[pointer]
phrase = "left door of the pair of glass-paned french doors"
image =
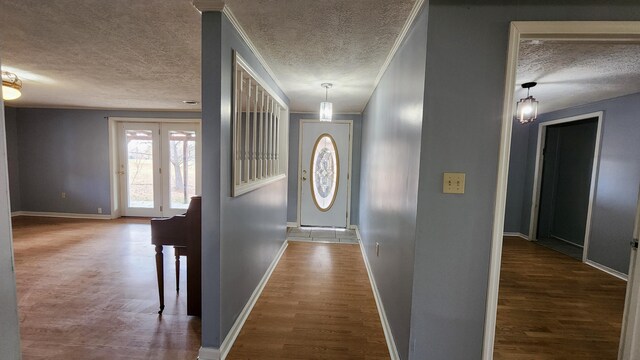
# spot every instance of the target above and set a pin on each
(139, 168)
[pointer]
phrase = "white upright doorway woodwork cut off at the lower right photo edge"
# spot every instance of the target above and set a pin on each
(630, 338)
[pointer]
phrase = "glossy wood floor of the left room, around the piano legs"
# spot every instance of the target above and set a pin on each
(87, 290)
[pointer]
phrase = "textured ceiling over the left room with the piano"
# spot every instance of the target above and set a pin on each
(102, 54)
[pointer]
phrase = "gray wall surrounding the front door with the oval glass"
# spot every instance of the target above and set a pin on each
(294, 150)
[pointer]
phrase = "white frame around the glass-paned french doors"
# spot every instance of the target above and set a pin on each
(114, 178)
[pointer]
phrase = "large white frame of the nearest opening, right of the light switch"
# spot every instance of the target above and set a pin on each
(574, 30)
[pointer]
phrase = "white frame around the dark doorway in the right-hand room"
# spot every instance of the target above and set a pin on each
(537, 177)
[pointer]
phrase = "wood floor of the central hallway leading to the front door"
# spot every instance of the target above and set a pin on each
(318, 304)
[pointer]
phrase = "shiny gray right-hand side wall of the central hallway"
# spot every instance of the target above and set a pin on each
(392, 122)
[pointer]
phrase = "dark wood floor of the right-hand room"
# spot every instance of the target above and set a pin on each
(551, 306)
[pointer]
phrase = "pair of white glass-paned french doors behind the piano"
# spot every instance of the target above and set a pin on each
(159, 167)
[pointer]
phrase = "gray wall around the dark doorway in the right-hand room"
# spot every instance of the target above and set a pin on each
(617, 178)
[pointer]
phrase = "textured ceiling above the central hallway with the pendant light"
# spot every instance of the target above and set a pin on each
(307, 43)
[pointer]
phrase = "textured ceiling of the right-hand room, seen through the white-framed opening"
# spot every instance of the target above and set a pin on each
(572, 73)
